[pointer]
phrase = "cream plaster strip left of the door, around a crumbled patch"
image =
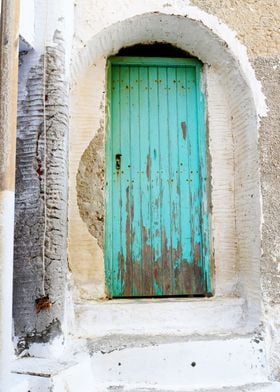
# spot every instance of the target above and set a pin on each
(87, 120)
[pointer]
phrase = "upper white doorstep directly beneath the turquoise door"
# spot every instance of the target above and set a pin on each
(154, 317)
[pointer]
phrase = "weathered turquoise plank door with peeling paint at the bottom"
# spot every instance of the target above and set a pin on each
(156, 224)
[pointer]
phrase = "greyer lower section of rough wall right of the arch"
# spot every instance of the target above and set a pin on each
(268, 71)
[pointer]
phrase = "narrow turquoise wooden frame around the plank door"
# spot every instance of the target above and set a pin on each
(206, 236)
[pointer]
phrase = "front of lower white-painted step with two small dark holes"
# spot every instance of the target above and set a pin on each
(178, 363)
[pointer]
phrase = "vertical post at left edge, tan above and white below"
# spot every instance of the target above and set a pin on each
(9, 36)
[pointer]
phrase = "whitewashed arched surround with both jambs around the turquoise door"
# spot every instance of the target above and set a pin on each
(232, 106)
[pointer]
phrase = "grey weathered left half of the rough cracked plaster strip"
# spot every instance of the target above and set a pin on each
(29, 215)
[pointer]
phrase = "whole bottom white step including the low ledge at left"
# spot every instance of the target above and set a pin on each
(117, 364)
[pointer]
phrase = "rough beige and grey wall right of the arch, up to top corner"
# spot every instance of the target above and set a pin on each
(257, 26)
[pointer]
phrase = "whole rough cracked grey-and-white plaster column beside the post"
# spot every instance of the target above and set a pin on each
(41, 197)
